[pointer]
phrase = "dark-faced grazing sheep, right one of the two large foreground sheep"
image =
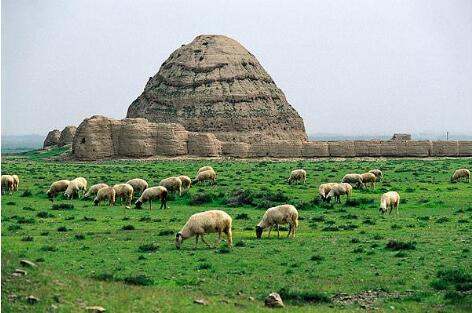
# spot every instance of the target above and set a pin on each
(282, 214)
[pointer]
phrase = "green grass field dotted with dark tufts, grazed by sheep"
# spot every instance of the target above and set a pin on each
(126, 260)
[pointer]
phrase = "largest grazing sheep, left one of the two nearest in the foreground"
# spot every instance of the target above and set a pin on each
(200, 224)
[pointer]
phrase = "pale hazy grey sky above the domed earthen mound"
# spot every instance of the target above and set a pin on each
(348, 67)
